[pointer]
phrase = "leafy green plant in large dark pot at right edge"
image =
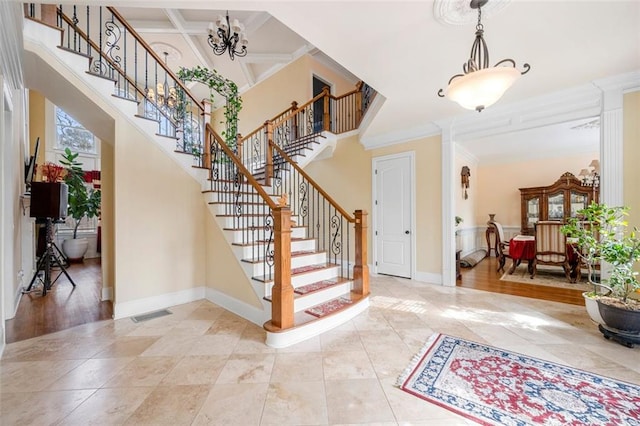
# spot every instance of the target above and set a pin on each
(600, 237)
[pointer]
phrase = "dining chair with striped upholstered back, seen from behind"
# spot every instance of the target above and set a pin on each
(551, 247)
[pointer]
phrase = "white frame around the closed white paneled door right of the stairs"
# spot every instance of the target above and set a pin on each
(412, 210)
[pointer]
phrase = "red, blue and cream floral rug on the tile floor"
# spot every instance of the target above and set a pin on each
(496, 387)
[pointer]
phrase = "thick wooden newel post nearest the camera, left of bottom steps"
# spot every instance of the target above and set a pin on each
(282, 291)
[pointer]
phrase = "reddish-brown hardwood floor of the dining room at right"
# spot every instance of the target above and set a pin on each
(484, 277)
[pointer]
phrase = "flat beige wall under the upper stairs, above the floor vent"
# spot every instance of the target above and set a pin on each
(159, 220)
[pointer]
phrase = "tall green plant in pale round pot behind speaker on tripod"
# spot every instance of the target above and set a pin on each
(82, 202)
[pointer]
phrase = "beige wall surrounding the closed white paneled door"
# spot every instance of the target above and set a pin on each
(347, 177)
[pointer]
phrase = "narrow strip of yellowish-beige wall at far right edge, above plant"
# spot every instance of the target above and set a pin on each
(631, 156)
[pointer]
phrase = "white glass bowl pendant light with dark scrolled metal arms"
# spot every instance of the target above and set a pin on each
(481, 86)
